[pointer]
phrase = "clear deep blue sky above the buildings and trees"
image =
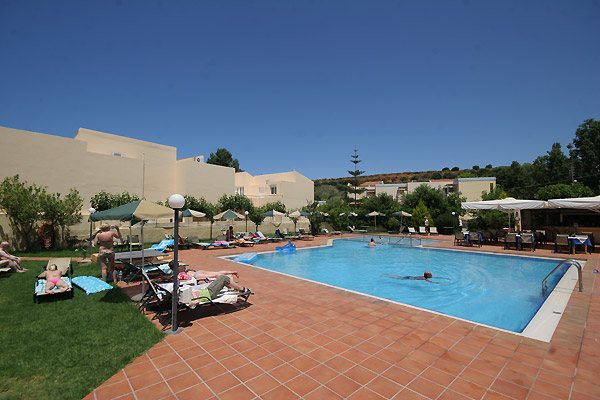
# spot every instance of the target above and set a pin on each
(297, 85)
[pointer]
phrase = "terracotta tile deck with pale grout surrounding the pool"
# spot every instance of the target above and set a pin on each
(304, 340)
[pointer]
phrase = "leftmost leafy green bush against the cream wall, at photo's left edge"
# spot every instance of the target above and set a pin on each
(20, 201)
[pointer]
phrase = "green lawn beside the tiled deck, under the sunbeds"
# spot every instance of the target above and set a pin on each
(64, 348)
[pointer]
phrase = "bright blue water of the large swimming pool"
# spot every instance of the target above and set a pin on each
(500, 291)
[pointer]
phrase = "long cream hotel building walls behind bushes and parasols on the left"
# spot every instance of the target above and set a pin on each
(93, 161)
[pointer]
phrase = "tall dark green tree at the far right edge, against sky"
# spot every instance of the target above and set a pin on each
(585, 152)
